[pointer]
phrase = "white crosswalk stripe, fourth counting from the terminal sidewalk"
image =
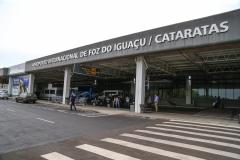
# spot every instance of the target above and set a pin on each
(196, 133)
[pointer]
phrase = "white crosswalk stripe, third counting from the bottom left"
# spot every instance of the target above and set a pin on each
(151, 149)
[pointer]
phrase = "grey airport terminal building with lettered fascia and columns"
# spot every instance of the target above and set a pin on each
(188, 63)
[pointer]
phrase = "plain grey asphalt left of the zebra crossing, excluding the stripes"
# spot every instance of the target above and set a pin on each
(26, 125)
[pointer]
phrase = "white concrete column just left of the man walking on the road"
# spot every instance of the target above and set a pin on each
(66, 85)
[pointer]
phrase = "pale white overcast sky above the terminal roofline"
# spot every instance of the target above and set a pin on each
(31, 29)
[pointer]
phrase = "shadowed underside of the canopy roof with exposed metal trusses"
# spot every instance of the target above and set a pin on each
(211, 62)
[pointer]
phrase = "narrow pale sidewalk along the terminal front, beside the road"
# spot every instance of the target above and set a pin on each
(199, 117)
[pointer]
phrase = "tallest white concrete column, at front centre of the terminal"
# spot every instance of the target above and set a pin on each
(140, 83)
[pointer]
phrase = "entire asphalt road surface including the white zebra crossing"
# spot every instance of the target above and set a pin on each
(40, 132)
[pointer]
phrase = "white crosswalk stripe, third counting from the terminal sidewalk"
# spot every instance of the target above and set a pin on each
(198, 129)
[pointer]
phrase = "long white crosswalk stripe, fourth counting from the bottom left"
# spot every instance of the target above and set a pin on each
(184, 145)
